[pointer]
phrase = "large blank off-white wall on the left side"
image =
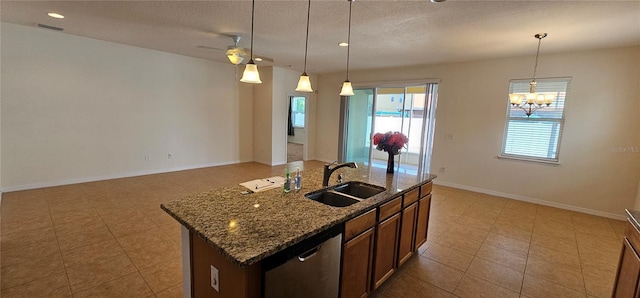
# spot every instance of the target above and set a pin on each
(79, 109)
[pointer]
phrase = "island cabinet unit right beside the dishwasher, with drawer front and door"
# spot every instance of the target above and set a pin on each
(357, 256)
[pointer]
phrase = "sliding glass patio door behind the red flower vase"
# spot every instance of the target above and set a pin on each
(409, 109)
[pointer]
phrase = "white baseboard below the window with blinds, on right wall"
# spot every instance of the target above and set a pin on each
(532, 200)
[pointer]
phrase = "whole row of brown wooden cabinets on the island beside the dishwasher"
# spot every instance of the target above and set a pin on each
(375, 246)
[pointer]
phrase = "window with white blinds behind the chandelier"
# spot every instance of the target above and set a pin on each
(537, 137)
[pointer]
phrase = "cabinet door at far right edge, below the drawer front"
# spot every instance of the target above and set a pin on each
(626, 284)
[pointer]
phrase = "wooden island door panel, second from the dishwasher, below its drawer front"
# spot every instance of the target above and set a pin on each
(386, 249)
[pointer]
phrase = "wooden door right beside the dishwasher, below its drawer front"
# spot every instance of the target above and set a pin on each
(357, 258)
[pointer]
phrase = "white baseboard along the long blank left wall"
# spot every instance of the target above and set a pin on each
(115, 176)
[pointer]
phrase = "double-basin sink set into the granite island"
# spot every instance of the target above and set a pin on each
(346, 194)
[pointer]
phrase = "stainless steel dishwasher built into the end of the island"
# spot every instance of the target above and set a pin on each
(309, 269)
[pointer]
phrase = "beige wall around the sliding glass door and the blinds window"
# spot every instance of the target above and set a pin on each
(601, 113)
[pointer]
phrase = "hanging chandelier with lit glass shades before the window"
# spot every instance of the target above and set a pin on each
(532, 101)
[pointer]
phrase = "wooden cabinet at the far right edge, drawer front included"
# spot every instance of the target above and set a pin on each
(628, 276)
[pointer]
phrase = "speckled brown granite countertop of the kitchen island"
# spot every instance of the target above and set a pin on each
(249, 228)
